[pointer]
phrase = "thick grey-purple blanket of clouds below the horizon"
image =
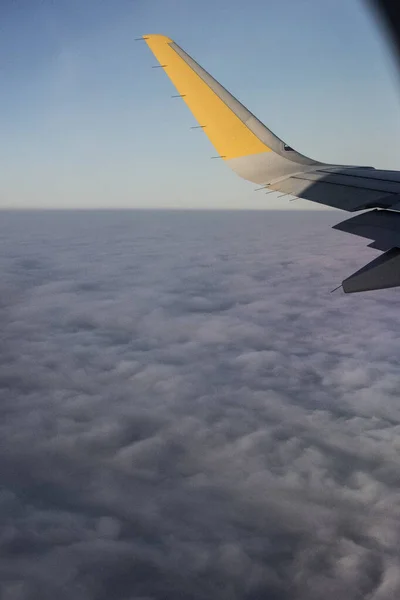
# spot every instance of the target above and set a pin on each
(186, 411)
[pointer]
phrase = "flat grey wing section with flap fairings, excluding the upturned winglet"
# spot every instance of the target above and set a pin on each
(358, 189)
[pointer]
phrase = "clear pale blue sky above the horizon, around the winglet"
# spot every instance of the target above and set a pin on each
(85, 121)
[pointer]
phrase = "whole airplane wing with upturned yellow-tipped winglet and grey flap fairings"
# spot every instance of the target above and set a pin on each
(255, 153)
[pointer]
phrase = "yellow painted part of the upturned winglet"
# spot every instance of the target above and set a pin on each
(226, 130)
